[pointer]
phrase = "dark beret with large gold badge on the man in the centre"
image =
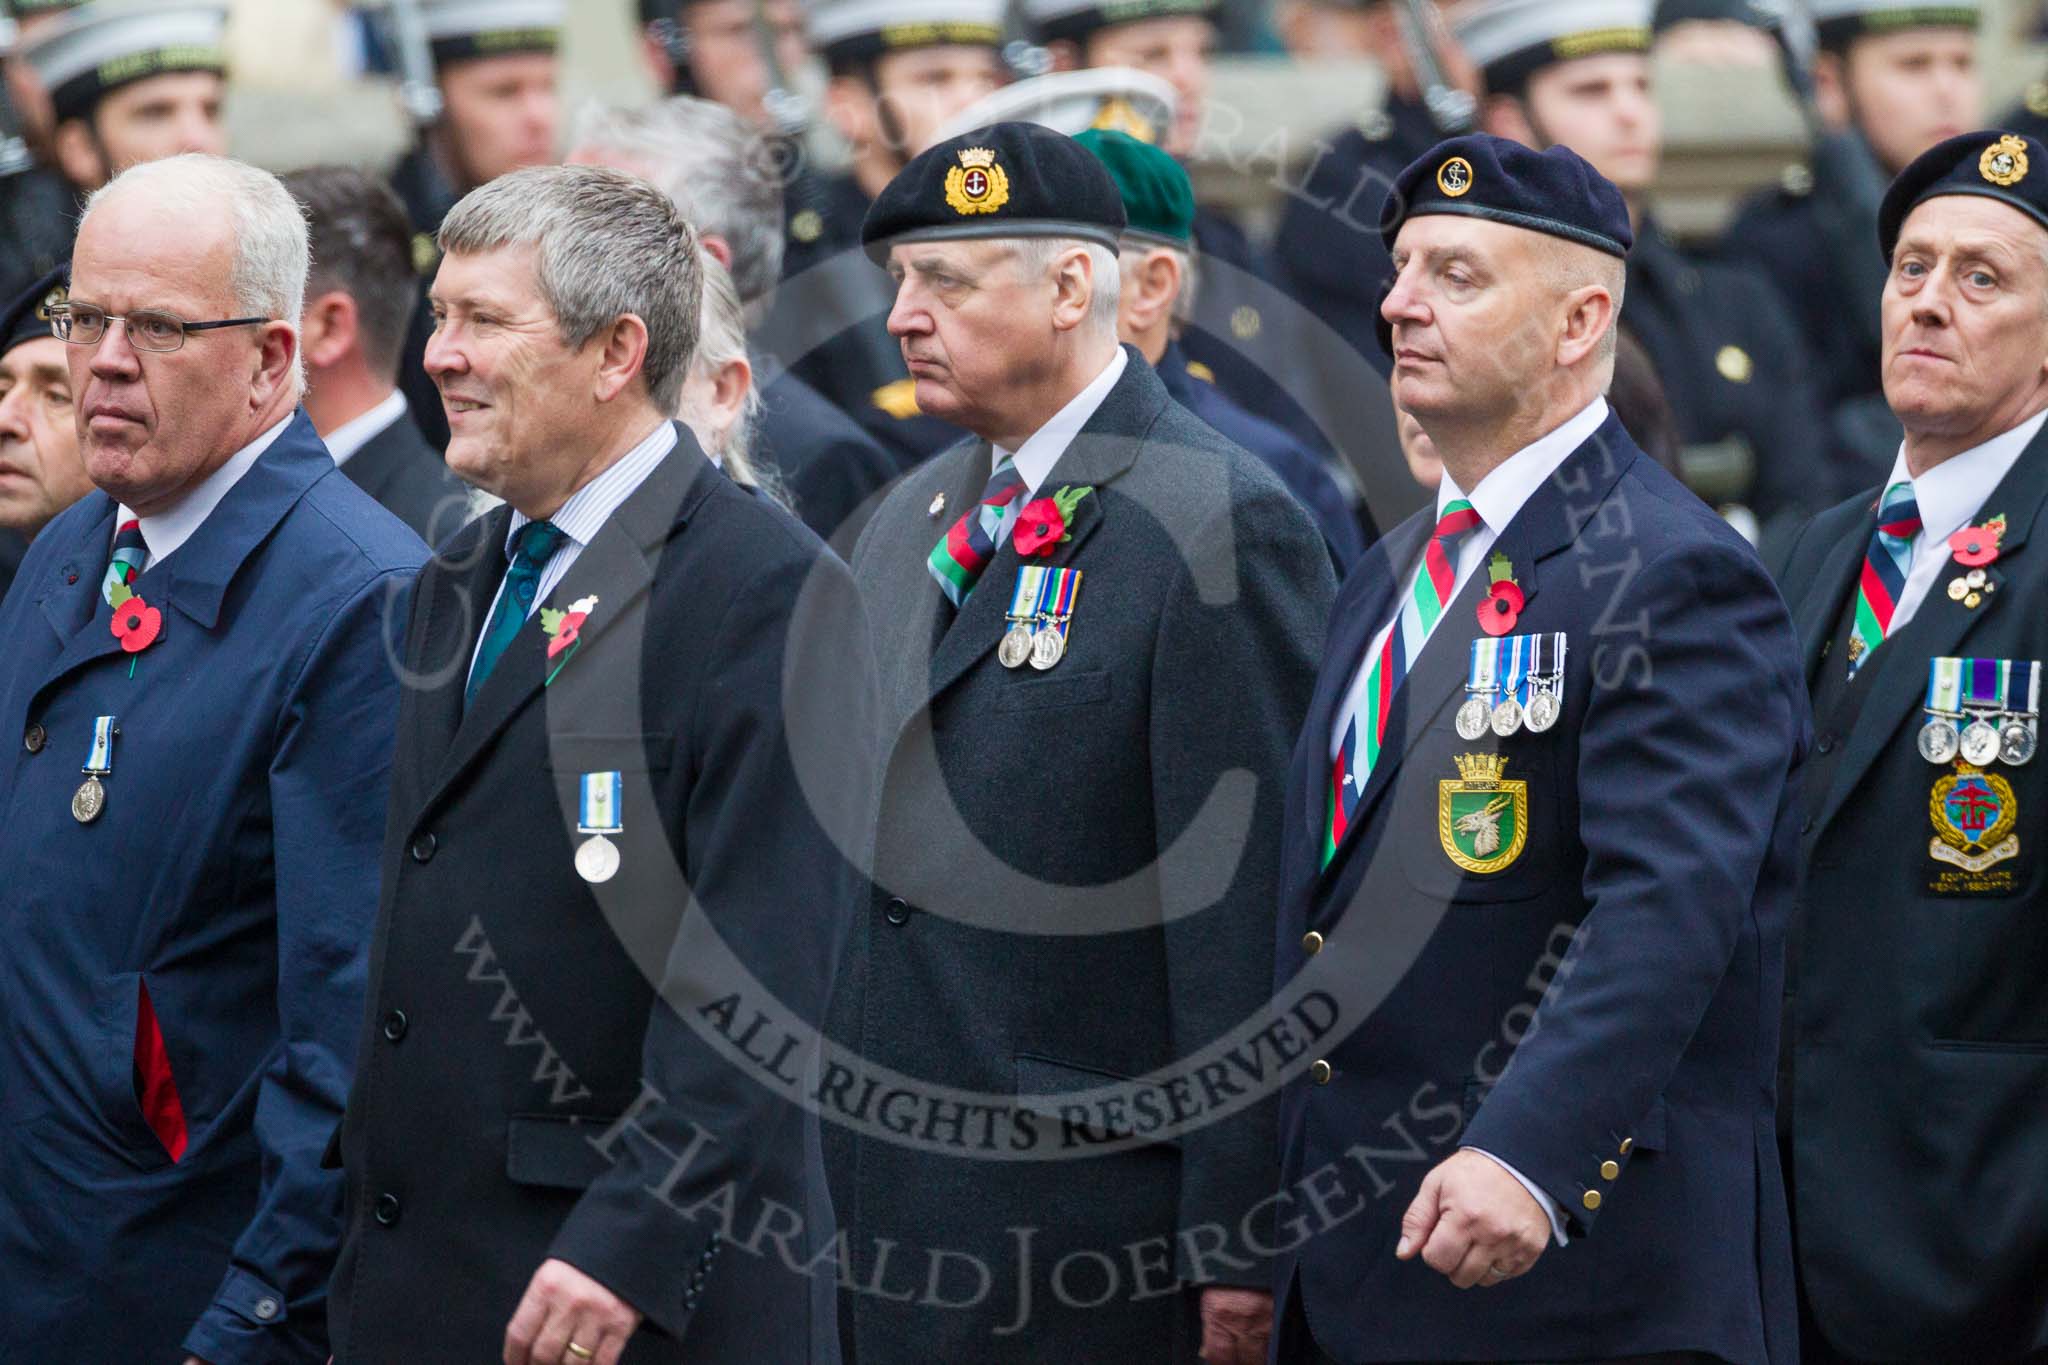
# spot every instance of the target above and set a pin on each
(1002, 181)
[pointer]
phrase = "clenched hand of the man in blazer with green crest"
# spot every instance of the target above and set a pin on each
(1474, 1223)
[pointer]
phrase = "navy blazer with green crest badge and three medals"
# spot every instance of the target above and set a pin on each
(1603, 1010)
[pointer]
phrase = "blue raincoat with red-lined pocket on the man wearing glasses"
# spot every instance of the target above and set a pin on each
(222, 904)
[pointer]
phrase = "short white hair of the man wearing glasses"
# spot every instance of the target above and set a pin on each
(269, 230)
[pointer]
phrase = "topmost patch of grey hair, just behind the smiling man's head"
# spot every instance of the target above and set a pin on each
(718, 169)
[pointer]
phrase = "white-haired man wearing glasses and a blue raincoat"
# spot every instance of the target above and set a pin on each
(191, 820)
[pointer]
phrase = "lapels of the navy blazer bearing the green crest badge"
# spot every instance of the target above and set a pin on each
(1545, 525)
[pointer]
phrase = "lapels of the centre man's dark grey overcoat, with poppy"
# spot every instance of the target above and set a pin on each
(1101, 451)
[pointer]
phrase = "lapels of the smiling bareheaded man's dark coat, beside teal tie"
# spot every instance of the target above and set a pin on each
(617, 568)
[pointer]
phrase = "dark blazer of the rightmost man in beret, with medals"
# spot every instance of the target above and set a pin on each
(1918, 1024)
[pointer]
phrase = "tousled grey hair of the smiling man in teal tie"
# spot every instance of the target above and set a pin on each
(605, 245)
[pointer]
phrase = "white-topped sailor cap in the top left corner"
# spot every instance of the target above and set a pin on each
(101, 48)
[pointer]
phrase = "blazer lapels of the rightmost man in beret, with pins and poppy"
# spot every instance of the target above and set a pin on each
(1938, 629)
